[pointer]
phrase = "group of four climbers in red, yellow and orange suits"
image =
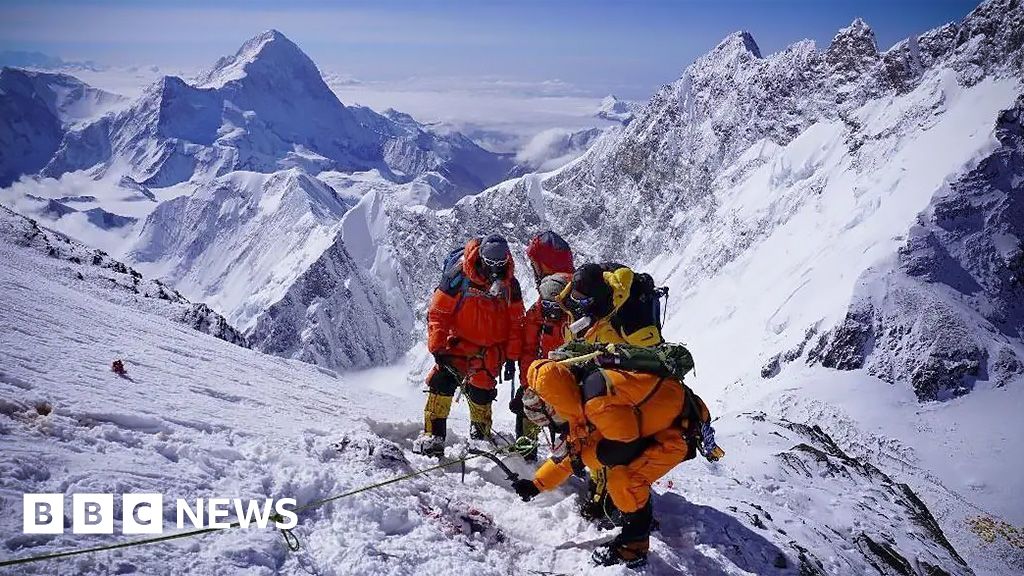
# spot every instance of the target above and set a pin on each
(594, 372)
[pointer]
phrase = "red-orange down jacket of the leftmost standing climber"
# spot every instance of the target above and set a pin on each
(476, 331)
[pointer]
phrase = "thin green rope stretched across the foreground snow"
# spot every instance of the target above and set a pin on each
(291, 541)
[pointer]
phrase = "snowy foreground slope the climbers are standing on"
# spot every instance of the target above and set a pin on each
(192, 421)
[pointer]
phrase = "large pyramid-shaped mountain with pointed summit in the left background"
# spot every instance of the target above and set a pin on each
(264, 110)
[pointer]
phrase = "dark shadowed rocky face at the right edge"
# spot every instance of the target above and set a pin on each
(950, 310)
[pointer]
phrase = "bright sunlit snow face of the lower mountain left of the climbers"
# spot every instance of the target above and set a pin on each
(240, 241)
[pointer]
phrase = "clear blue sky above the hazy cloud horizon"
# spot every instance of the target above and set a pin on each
(598, 47)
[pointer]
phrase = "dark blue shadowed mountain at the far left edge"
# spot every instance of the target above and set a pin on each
(36, 110)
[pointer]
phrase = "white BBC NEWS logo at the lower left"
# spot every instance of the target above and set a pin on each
(144, 514)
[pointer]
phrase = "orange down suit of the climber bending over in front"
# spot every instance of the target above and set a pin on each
(633, 424)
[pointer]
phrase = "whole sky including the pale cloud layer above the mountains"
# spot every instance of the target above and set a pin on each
(511, 75)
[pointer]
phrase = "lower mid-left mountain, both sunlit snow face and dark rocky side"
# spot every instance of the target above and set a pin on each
(265, 250)
